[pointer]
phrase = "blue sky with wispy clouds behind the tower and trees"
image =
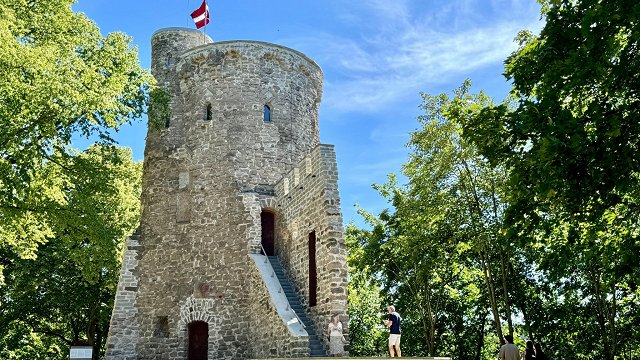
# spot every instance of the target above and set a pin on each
(377, 56)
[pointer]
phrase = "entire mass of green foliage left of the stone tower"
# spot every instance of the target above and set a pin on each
(63, 214)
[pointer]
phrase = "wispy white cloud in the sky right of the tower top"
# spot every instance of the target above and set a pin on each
(404, 50)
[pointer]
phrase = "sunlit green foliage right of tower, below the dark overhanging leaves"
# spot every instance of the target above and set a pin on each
(455, 251)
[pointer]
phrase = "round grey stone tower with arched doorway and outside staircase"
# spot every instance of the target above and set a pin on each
(236, 173)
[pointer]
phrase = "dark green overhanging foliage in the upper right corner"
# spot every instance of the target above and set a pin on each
(572, 140)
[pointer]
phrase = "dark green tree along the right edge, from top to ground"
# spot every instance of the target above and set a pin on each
(571, 148)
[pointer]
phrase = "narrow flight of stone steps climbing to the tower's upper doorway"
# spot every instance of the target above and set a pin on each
(316, 347)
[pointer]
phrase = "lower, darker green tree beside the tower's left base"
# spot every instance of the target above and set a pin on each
(64, 296)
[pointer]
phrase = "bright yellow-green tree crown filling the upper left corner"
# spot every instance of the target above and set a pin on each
(58, 77)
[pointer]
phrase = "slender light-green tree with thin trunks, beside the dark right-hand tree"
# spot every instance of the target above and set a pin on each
(451, 180)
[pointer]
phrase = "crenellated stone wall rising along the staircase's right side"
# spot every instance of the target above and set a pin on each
(308, 201)
